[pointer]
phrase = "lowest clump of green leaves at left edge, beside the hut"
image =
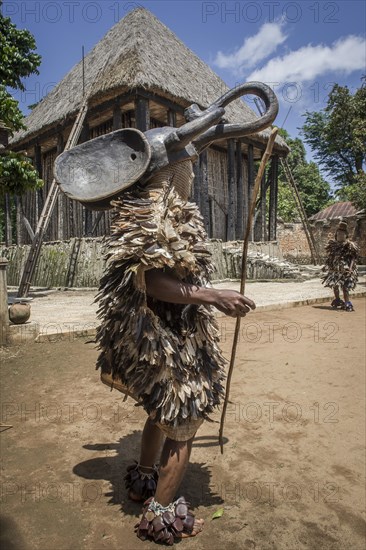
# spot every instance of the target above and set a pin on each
(17, 174)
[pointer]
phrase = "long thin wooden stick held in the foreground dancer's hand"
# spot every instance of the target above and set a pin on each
(257, 182)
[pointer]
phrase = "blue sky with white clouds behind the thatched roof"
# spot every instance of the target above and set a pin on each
(300, 48)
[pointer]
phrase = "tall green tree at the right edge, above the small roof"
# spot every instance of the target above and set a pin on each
(337, 136)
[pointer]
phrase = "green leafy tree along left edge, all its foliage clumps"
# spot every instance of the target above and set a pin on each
(17, 61)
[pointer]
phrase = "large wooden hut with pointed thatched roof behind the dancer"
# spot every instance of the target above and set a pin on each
(141, 75)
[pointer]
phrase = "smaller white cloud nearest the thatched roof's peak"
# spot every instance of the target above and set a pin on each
(255, 48)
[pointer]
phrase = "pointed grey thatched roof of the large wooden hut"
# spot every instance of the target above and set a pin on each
(138, 52)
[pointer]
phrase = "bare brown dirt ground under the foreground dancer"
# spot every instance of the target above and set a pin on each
(292, 472)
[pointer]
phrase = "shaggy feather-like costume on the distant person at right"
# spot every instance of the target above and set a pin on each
(338, 261)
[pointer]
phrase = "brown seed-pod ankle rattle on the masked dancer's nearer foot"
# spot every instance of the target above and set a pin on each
(166, 523)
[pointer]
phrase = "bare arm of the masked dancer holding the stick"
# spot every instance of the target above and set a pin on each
(165, 287)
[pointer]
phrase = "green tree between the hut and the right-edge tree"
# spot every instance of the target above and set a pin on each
(314, 190)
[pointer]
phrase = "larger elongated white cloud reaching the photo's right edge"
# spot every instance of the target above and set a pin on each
(346, 55)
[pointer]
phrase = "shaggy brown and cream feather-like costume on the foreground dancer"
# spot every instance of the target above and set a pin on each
(166, 354)
